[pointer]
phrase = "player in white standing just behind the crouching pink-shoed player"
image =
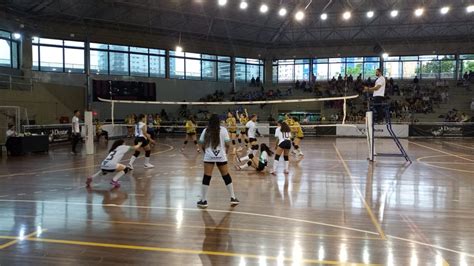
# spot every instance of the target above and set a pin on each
(141, 136)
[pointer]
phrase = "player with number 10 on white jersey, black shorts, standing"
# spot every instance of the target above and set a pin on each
(283, 133)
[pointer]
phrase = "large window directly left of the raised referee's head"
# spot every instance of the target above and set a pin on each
(327, 68)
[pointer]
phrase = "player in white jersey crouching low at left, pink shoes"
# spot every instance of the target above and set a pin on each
(111, 164)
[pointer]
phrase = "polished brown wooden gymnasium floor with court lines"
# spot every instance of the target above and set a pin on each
(333, 208)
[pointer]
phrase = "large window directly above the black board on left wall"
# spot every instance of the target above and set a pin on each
(110, 59)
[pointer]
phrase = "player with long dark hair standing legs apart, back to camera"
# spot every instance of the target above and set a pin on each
(215, 142)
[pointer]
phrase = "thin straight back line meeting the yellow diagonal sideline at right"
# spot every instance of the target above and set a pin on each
(271, 232)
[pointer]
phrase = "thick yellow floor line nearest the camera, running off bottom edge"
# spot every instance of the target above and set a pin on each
(189, 251)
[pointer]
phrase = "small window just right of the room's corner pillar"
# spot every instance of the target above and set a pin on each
(291, 70)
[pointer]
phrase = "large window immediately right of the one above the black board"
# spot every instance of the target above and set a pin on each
(194, 66)
